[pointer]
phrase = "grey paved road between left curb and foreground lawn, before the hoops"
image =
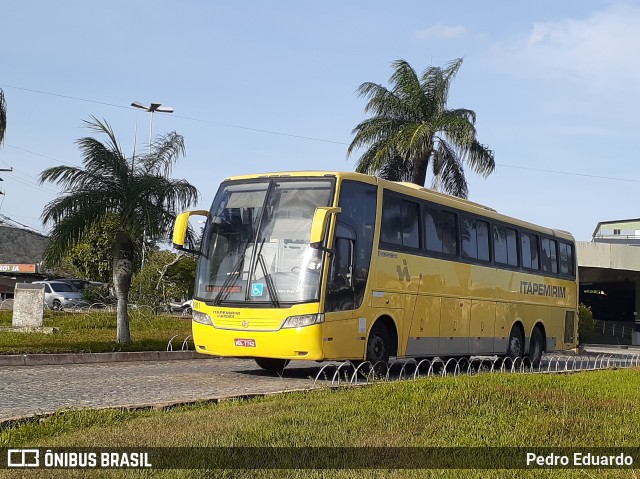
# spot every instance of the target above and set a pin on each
(28, 390)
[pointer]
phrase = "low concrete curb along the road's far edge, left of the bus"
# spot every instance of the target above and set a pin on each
(89, 358)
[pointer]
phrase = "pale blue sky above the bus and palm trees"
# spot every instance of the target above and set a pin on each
(260, 86)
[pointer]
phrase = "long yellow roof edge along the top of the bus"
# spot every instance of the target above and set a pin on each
(415, 191)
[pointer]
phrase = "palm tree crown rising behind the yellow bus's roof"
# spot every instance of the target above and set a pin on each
(411, 128)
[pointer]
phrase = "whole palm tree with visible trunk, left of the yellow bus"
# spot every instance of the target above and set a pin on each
(136, 191)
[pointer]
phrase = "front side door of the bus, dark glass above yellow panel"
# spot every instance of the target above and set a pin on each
(340, 338)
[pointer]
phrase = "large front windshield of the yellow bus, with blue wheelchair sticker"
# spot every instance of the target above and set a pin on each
(255, 247)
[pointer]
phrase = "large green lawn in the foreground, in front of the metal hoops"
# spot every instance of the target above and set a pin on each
(587, 409)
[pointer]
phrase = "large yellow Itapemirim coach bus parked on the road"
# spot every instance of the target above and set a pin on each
(345, 266)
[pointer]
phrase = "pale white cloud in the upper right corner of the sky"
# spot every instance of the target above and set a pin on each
(600, 51)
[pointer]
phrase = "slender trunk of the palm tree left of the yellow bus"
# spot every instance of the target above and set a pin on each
(122, 273)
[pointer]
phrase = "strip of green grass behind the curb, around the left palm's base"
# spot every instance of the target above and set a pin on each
(83, 332)
